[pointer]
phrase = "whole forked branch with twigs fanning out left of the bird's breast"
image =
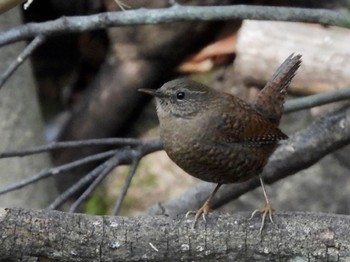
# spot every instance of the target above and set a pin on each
(133, 150)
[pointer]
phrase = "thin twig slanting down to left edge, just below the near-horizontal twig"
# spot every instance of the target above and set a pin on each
(55, 171)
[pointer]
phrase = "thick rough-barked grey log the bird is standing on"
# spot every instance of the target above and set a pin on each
(225, 237)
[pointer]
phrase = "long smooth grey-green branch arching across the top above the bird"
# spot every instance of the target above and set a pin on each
(176, 13)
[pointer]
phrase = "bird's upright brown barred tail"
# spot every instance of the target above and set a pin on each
(270, 99)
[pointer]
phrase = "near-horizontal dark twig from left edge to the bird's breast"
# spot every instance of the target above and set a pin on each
(83, 143)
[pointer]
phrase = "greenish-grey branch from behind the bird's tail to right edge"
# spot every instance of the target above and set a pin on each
(317, 100)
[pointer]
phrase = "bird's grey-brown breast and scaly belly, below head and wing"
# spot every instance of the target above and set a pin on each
(202, 156)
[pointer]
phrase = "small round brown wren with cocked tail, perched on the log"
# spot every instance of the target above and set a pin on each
(218, 137)
